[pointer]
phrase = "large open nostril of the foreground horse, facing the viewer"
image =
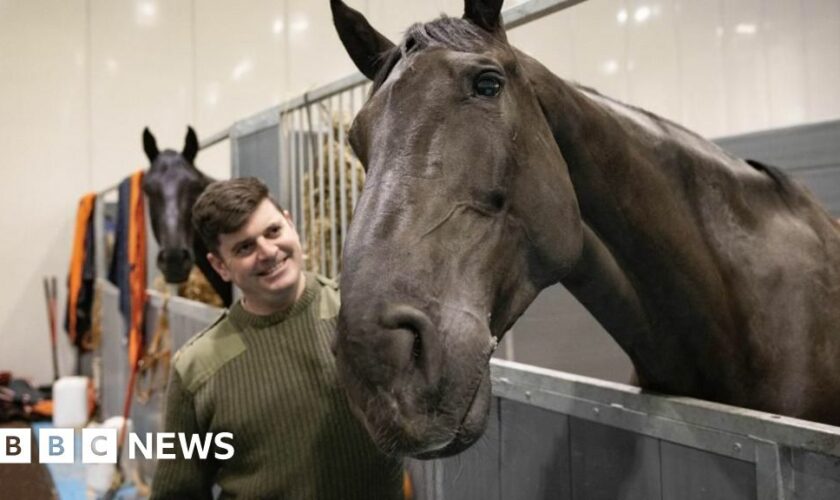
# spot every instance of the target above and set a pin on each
(425, 352)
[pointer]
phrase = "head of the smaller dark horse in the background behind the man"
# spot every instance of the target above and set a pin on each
(172, 186)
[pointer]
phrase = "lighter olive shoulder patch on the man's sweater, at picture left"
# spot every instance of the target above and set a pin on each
(207, 352)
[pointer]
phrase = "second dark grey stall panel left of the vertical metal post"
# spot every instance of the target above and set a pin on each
(613, 464)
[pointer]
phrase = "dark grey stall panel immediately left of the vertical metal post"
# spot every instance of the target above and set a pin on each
(692, 474)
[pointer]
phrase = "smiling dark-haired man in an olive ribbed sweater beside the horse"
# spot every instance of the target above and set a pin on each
(264, 371)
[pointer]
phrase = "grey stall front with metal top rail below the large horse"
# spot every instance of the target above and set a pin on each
(562, 436)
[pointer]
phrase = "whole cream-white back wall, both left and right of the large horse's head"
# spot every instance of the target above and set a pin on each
(79, 79)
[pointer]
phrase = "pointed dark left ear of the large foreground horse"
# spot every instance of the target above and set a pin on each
(363, 43)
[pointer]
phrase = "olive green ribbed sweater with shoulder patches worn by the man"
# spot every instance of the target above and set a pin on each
(271, 382)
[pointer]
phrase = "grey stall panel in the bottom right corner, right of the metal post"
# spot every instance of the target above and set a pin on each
(815, 476)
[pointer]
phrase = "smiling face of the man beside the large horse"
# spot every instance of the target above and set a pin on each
(264, 258)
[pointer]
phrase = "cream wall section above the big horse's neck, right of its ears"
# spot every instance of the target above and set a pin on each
(719, 67)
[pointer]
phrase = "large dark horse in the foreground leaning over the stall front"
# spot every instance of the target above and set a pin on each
(489, 179)
